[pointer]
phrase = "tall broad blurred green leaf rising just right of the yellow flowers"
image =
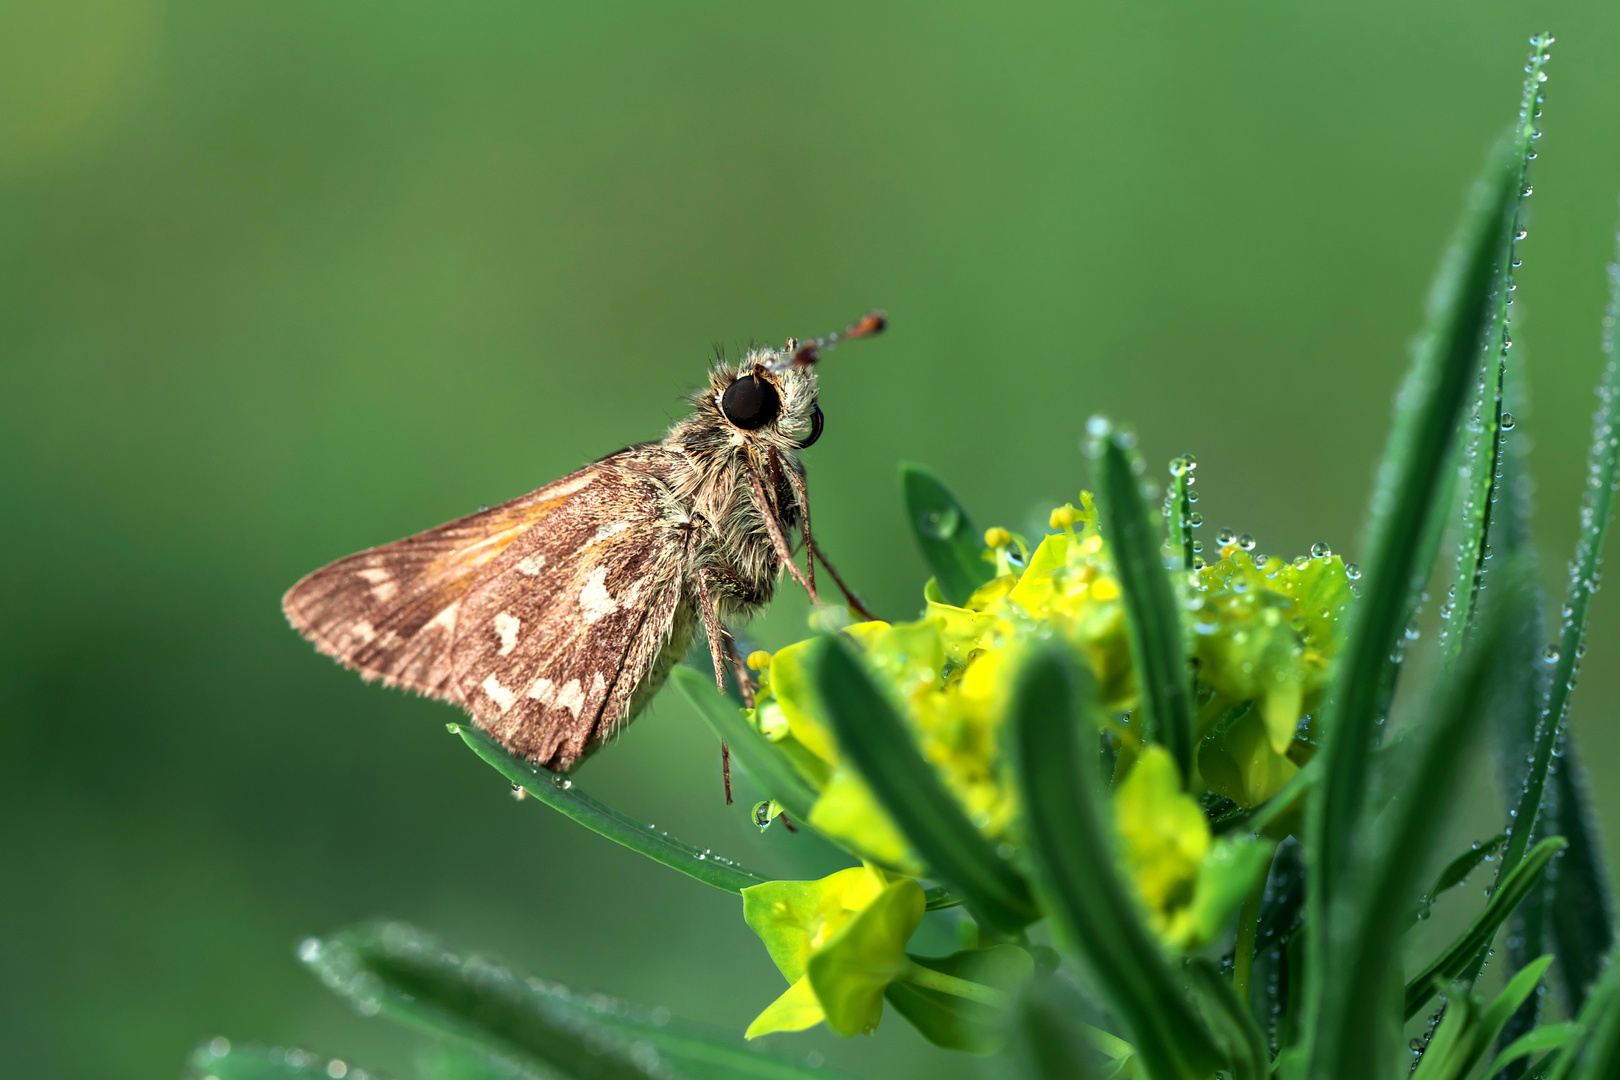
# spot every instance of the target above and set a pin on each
(1426, 420)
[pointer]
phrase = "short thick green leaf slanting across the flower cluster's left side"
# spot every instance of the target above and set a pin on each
(874, 739)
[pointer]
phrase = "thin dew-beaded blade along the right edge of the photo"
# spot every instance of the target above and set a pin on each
(1603, 470)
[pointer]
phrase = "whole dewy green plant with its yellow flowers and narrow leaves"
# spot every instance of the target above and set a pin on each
(1148, 752)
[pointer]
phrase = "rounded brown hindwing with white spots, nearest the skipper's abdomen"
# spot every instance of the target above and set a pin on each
(568, 623)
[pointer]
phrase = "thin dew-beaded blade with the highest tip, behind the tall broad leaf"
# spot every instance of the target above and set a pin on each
(1481, 451)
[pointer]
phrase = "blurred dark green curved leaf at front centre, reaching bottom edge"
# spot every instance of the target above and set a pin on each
(1089, 906)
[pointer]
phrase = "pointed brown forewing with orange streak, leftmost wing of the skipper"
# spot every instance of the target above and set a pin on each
(391, 613)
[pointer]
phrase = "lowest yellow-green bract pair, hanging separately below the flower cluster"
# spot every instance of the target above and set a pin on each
(838, 942)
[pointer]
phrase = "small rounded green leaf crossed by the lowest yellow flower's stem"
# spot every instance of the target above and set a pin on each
(957, 1023)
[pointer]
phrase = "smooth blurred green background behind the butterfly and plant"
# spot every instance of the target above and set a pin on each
(279, 283)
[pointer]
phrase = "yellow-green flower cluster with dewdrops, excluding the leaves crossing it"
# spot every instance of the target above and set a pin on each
(1263, 636)
